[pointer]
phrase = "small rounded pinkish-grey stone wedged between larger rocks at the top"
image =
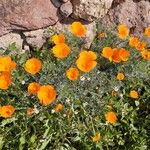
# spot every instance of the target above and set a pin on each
(66, 9)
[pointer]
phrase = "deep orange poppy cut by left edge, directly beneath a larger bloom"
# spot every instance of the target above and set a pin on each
(5, 80)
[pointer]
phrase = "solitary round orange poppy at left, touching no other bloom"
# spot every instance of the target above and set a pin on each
(33, 66)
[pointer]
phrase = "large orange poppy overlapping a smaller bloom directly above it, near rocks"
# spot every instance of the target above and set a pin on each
(61, 50)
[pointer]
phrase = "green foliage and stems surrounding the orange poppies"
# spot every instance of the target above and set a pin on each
(85, 102)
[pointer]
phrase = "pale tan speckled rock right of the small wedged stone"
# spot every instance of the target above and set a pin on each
(90, 9)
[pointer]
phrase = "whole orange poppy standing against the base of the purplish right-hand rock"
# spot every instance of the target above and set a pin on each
(123, 31)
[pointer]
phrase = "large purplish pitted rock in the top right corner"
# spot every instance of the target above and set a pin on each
(135, 15)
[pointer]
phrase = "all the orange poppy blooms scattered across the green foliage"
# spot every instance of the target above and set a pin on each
(85, 63)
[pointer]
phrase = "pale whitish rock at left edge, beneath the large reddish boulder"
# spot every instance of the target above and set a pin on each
(10, 38)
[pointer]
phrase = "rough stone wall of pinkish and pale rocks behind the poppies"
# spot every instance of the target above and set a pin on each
(26, 22)
